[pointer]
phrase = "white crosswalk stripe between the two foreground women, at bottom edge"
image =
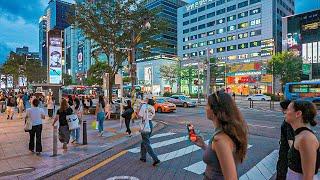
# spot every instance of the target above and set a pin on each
(264, 170)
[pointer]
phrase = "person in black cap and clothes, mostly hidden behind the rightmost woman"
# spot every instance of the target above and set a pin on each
(286, 140)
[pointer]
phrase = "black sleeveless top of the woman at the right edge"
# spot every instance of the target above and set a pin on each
(294, 158)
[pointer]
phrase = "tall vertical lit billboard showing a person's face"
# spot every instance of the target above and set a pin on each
(55, 62)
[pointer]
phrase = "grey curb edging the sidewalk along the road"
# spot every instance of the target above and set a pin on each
(116, 149)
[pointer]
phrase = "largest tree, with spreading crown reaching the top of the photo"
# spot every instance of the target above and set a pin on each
(115, 27)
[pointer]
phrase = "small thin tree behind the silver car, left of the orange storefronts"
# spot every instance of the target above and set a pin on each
(170, 73)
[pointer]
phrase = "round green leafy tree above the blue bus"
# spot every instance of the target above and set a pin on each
(286, 66)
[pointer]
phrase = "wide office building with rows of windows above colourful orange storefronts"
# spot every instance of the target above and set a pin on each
(241, 35)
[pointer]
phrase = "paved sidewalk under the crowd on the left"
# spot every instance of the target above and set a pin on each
(16, 162)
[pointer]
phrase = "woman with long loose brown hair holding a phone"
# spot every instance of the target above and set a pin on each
(228, 145)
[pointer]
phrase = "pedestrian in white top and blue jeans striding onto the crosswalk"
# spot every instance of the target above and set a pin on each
(147, 112)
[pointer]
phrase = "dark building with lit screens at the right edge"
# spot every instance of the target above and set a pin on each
(301, 35)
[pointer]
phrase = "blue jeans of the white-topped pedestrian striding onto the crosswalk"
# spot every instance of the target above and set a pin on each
(145, 145)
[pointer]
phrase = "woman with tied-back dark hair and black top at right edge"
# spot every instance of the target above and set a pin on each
(304, 154)
